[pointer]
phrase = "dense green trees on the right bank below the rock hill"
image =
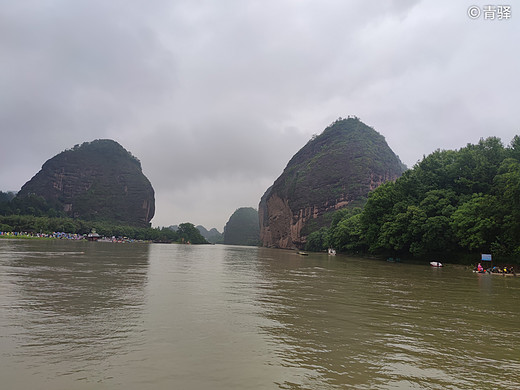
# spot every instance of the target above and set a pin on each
(460, 202)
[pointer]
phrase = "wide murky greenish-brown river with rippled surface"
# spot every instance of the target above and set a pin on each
(81, 315)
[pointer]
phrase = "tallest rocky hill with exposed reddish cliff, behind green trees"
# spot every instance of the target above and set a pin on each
(333, 170)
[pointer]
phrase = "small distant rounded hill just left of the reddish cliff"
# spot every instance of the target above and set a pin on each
(242, 227)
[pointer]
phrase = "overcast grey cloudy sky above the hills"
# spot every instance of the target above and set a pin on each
(215, 96)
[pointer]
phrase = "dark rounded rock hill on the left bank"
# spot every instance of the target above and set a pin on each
(98, 180)
